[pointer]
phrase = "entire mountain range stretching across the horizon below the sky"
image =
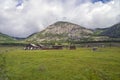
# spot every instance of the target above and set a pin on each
(67, 32)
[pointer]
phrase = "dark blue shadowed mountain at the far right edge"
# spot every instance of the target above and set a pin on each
(112, 32)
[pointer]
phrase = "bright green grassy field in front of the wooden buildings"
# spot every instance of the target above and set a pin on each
(80, 64)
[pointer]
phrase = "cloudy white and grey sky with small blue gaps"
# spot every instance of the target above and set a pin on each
(20, 18)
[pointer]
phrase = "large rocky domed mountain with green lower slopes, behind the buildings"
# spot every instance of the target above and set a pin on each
(61, 31)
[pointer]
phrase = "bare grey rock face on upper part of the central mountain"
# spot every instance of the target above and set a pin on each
(67, 28)
